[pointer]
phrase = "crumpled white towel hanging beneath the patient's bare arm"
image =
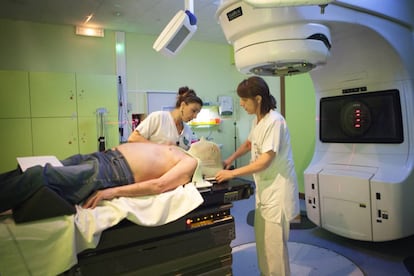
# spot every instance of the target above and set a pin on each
(145, 210)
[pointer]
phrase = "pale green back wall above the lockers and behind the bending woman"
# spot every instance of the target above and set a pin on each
(206, 67)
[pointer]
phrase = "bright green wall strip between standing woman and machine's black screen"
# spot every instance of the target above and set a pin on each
(300, 116)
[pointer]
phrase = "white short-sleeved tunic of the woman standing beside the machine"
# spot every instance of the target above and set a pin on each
(276, 190)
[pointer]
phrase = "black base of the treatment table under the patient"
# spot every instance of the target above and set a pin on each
(196, 244)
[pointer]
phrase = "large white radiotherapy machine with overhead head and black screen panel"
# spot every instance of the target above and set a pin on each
(360, 181)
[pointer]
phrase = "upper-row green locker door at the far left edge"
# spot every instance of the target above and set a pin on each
(14, 94)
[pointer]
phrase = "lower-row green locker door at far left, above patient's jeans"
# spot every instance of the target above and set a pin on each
(16, 141)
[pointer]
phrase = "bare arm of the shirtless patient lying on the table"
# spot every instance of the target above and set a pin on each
(179, 174)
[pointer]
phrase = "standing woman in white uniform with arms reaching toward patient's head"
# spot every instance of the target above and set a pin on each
(277, 196)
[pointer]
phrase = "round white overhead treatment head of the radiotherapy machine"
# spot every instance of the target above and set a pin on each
(264, 48)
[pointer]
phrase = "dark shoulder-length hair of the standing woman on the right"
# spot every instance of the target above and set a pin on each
(256, 86)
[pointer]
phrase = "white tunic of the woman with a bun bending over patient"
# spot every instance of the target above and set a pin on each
(159, 127)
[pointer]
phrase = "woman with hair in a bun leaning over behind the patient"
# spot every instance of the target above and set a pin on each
(169, 127)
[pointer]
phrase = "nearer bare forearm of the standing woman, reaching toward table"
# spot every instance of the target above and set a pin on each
(261, 163)
